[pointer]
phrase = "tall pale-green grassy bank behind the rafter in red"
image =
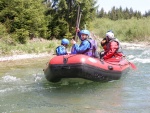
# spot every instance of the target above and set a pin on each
(125, 30)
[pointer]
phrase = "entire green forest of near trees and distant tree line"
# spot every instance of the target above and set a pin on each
(21, 20)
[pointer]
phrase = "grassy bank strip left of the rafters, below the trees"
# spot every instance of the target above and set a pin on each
(32, 46)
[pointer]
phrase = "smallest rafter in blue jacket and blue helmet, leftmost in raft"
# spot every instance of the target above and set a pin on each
(62, 49)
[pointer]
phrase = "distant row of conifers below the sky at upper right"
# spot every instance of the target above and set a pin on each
(120, 13)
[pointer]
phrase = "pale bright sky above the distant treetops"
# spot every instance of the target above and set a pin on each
(136, 5)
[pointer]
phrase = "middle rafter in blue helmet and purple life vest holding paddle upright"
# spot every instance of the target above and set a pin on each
(88, 46)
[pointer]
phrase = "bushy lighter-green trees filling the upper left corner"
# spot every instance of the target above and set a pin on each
(23, 18)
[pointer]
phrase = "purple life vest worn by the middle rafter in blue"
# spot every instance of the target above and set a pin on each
(92, 50)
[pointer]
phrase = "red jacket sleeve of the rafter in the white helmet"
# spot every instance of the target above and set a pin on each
(112, 50)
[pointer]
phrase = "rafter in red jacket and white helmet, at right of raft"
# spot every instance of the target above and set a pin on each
(112, 49)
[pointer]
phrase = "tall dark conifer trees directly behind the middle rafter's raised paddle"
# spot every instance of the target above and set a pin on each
(66, 14)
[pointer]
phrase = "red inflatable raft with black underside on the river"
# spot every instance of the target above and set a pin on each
(82, 66)
